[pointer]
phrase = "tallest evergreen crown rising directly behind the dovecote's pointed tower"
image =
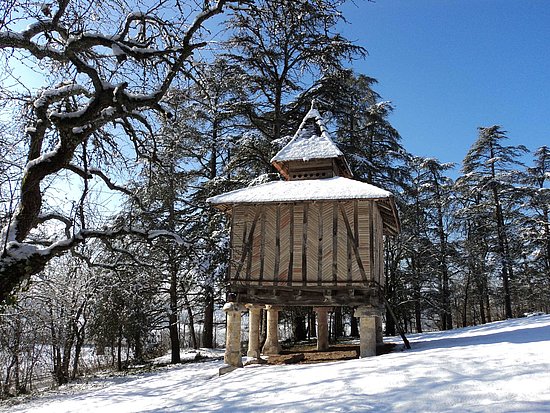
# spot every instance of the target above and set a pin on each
(283, 46)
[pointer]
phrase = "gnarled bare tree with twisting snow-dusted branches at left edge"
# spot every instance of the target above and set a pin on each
(106, 67)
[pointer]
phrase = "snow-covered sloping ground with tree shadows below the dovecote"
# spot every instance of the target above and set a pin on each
(498, 367)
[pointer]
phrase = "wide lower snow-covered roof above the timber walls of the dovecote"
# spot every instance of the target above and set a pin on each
(337, 188)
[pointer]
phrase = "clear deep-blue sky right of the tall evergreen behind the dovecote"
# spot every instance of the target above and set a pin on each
(450, 66)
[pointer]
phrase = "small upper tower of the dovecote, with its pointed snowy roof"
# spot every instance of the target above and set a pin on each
(311, 153)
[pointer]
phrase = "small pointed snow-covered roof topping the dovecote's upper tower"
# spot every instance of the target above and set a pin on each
(311, 141)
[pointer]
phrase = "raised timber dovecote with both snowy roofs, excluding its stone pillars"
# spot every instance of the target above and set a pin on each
(315, 238)
